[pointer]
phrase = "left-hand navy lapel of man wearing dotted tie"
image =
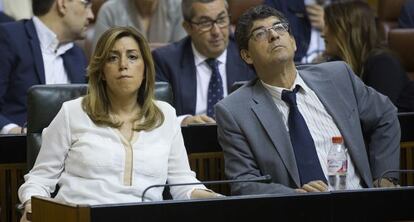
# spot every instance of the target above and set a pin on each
(188, 80)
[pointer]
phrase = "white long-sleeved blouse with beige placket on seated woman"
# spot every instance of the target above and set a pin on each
(96, 165)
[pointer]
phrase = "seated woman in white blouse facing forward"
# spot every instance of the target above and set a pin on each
(113, 143)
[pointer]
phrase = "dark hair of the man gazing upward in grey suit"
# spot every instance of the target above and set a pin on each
(245, 22)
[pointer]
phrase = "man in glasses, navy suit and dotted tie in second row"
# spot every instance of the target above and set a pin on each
(202, 67)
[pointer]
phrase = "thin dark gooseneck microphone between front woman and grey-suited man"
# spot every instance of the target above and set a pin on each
(263, 179)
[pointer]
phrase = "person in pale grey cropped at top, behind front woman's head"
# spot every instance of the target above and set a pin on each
(158, 20)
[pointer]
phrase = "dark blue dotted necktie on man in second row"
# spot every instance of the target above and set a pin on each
(215, 87)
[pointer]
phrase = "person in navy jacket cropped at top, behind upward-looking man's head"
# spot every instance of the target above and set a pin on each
(306, 20)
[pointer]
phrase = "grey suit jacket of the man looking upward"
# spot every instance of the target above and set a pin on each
(255, 141)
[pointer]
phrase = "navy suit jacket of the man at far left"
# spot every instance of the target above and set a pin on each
(21, 66)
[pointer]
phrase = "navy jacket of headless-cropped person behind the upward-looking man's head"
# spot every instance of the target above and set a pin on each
(295, 12)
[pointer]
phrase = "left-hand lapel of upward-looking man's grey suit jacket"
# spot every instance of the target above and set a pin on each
(271, 120)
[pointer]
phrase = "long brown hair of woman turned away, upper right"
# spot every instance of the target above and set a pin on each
(352, 25)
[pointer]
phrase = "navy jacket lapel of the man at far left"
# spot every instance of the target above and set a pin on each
(36, 51)
